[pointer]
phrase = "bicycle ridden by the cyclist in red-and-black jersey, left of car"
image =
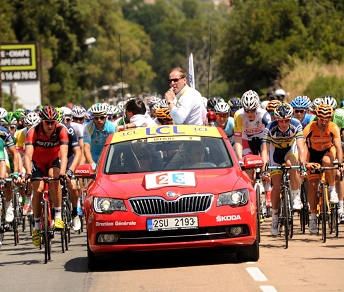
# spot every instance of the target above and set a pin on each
(46, 225)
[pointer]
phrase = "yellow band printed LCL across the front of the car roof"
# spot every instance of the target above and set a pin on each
(165, 131)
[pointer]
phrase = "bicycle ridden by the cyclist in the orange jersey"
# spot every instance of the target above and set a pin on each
(324, 205)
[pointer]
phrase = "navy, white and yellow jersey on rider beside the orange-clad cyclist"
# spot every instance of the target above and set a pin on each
(273, 135)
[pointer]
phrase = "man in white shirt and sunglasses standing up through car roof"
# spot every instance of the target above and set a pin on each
(185, 103)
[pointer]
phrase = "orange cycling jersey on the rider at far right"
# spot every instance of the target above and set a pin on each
(318, 140)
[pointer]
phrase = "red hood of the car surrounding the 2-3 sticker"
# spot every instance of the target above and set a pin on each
(134, 185)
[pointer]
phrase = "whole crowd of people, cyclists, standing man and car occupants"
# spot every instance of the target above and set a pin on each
(53, 141)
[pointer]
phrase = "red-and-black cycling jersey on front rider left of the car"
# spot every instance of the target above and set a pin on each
(47, 149)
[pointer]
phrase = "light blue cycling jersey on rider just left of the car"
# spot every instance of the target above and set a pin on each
(96, 138)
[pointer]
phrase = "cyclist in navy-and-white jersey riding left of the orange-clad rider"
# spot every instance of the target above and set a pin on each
(283, 142)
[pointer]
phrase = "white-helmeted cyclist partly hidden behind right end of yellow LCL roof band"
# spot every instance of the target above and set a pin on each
(223, 120)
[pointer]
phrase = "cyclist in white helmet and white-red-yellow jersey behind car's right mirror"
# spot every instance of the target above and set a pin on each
(249, 125)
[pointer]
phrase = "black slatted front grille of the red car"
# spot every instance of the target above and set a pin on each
(160, 206)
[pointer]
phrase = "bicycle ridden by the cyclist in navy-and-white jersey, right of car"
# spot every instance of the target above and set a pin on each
(285, 216)
